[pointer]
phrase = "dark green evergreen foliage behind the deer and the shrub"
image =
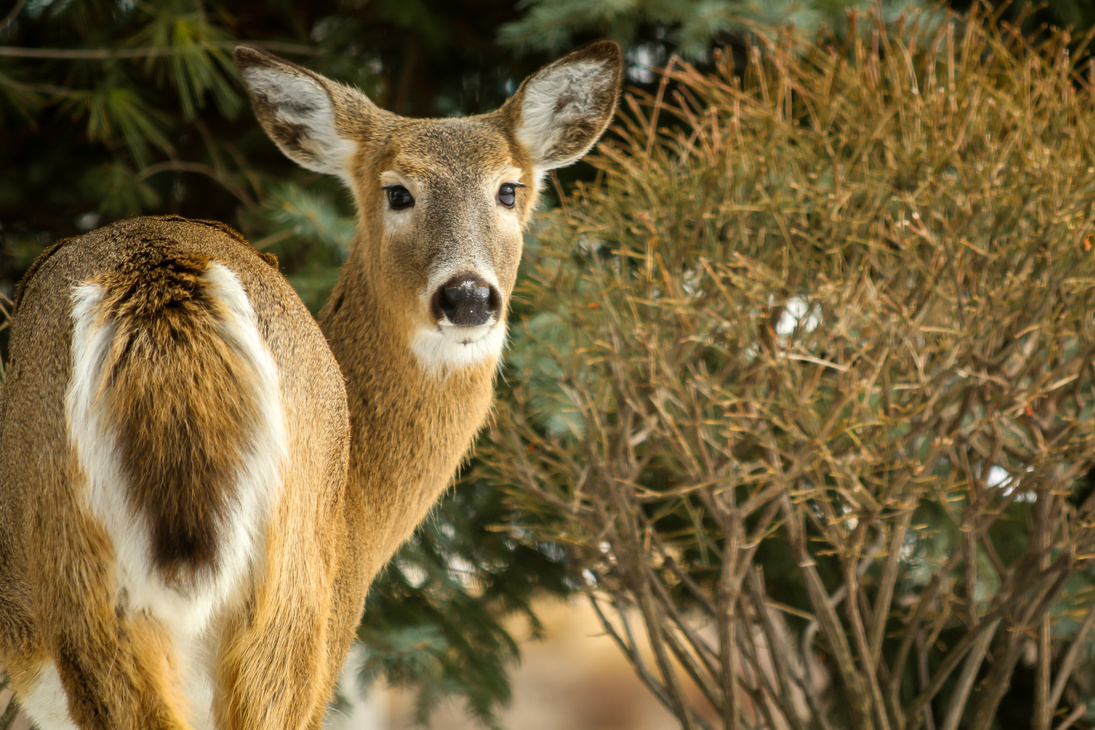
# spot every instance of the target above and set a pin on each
(116, 108)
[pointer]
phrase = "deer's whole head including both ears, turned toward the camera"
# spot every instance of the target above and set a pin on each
(443, 202)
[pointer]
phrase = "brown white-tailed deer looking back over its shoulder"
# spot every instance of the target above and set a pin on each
(200, 482)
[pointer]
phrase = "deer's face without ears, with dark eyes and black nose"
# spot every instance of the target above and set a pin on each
(451, 199)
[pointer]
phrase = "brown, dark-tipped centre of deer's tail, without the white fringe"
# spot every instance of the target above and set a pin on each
(179, 401)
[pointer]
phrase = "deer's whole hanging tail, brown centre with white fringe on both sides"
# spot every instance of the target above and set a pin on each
(175, 403)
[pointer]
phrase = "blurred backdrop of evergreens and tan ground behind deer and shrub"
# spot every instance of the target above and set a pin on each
(111, 109)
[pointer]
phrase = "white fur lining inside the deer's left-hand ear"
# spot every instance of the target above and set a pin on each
(305, 120)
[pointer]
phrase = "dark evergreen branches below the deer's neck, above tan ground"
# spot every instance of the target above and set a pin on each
(435, 623)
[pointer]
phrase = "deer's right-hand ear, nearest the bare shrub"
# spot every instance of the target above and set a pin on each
(562, 110)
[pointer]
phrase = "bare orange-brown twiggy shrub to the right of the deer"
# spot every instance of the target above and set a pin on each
(805, 386)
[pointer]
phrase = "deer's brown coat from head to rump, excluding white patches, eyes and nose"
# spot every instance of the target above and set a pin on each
(374, 435)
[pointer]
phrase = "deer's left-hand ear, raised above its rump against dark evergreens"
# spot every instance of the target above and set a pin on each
(307, 115)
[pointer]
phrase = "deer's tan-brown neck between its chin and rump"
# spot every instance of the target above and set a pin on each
(411, 430)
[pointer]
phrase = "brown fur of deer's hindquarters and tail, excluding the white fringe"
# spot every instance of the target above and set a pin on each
(59, 597)
